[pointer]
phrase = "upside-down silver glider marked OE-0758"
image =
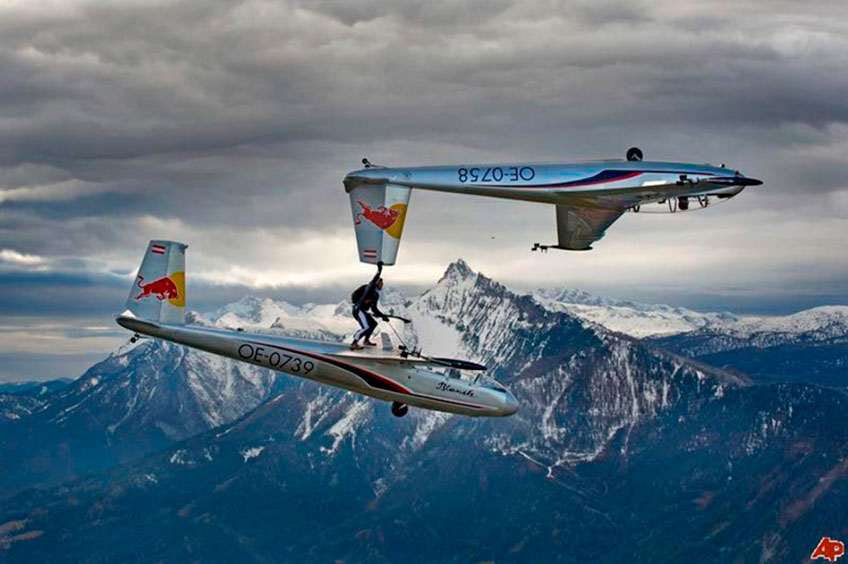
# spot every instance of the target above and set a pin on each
(589, 196)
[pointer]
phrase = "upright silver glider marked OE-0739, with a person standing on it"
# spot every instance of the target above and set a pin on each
(156, 308)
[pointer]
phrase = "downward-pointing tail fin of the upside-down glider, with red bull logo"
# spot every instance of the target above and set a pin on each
(379, 212)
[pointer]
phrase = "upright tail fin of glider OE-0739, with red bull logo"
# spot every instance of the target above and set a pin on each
(158, 292)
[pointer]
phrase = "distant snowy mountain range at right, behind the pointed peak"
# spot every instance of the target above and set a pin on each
(810, 345)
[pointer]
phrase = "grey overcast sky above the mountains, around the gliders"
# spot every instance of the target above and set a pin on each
(229, 126)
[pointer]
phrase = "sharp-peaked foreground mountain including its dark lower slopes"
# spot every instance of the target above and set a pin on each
(613, 438)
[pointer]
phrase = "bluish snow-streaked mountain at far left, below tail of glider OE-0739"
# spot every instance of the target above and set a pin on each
(139, 399)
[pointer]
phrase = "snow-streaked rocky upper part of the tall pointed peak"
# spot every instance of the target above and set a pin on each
(578, 385)
